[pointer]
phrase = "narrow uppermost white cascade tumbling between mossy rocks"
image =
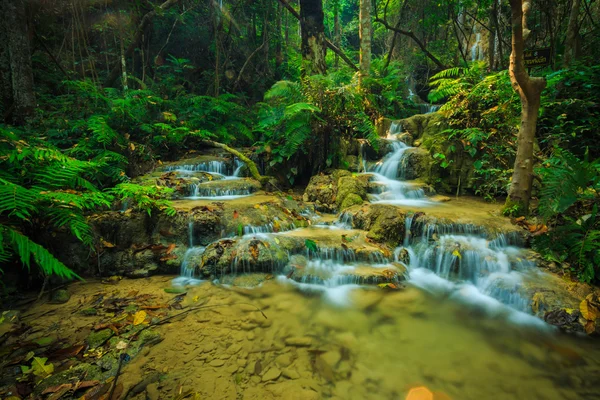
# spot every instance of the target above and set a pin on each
(389, 172)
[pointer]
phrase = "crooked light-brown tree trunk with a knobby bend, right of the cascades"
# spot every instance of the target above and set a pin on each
(529, 90)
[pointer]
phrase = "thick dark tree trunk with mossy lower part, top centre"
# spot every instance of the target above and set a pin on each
(313, 38)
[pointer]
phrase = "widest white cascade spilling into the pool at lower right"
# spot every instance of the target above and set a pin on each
(463, 263)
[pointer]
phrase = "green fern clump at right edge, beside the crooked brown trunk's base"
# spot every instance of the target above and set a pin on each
(569, 200)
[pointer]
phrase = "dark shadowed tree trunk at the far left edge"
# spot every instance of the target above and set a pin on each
(19, 54)
